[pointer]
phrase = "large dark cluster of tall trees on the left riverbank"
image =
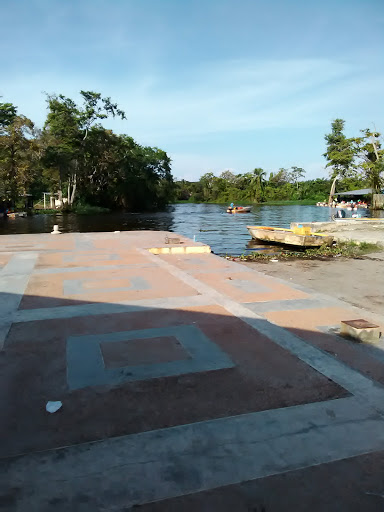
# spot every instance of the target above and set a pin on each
(76, 158)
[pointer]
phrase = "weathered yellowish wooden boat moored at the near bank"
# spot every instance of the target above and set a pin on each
(289, 236)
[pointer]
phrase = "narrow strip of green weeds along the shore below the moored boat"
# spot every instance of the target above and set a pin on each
(341, 249)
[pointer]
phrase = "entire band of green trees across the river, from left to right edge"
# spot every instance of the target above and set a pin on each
(74, 157)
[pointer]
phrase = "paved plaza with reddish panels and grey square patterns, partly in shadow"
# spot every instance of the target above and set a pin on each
(181, 377)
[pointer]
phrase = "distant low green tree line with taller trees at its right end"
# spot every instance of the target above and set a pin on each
(356, 162)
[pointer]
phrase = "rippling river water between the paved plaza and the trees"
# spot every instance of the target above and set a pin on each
(208, 223)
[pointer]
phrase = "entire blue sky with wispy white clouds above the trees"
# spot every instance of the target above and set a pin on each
(218, 84)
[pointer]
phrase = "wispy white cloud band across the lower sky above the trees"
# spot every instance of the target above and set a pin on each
(227, 98)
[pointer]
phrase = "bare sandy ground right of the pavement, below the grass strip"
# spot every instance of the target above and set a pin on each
(359, 282)
